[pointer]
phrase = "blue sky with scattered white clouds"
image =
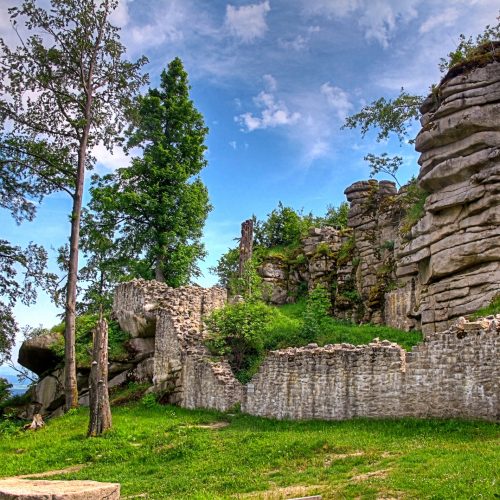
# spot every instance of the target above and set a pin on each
(275, 79)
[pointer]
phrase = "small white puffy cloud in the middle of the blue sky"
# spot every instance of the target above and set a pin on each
(274, 114)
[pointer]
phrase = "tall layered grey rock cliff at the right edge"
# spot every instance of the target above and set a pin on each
(455, 248)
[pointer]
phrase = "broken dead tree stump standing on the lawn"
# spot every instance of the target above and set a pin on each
(100, 412)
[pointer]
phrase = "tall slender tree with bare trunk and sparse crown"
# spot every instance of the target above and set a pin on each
(67, 89)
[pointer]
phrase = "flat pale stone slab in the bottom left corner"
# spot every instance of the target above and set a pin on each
(25, 489)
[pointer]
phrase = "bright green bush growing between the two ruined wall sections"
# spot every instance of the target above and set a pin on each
(237, 332)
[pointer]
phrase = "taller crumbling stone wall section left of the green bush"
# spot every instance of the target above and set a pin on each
(183, 371)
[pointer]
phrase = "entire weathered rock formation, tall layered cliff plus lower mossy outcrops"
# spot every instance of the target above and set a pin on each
(449, 263)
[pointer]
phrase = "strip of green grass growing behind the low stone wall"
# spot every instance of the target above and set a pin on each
(285, 331)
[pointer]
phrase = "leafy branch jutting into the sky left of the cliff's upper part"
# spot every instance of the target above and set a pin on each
(388, 116)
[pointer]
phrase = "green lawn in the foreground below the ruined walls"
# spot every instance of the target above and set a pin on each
(162, 452)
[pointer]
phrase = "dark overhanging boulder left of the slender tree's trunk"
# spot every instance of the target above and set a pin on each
(37, 354)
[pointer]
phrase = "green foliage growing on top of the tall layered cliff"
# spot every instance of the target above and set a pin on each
(470, 48)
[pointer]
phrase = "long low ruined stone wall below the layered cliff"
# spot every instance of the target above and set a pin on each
(452, 374)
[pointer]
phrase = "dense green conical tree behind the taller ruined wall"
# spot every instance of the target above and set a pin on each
(159, 205)
